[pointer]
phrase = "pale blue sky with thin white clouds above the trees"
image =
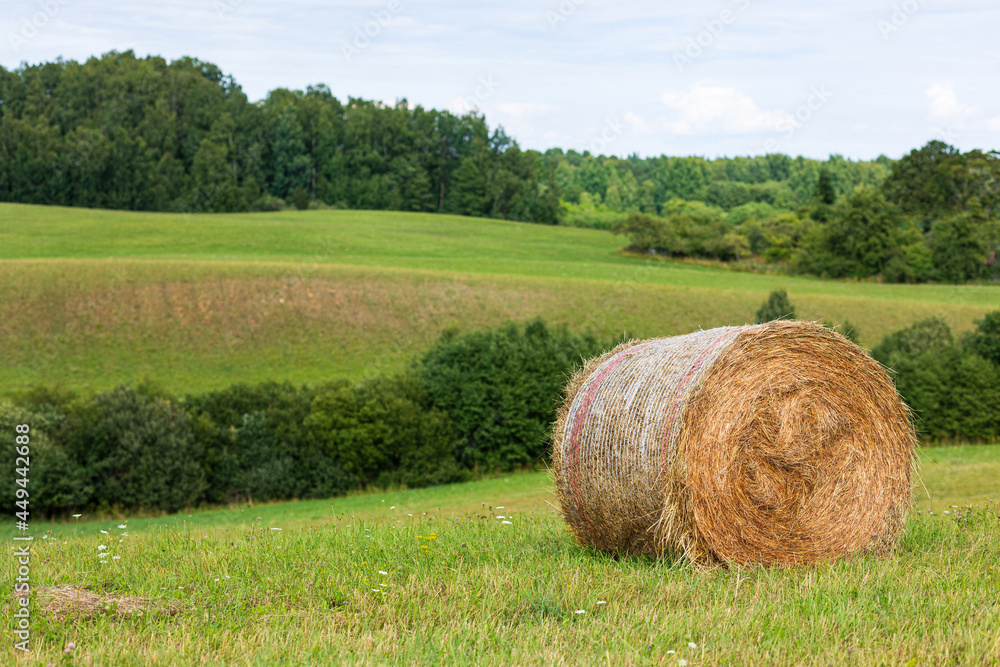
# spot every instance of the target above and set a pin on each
(858, 78)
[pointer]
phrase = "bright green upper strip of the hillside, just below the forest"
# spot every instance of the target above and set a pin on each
(390, 239)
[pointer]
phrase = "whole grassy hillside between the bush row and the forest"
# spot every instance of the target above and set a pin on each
(90, 298)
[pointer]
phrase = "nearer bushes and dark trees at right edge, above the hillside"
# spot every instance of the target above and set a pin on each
(935, 216)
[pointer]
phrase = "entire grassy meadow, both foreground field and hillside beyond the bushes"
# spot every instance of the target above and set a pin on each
(479, 573)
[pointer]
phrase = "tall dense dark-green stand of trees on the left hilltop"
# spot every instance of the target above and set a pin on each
(122, 132)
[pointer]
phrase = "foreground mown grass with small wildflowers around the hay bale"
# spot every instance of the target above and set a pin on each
(484, 573)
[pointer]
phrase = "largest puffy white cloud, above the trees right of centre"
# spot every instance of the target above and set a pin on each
(718, 108)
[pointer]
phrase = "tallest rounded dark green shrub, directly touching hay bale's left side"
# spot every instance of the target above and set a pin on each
(501, 388)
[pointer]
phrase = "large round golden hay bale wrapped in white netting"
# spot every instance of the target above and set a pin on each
(780, 443)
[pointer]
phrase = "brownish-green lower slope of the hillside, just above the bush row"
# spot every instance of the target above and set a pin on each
(197, 325)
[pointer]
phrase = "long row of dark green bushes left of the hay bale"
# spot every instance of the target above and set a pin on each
(474, 401)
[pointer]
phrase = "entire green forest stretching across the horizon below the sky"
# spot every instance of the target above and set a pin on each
(121, 132)
